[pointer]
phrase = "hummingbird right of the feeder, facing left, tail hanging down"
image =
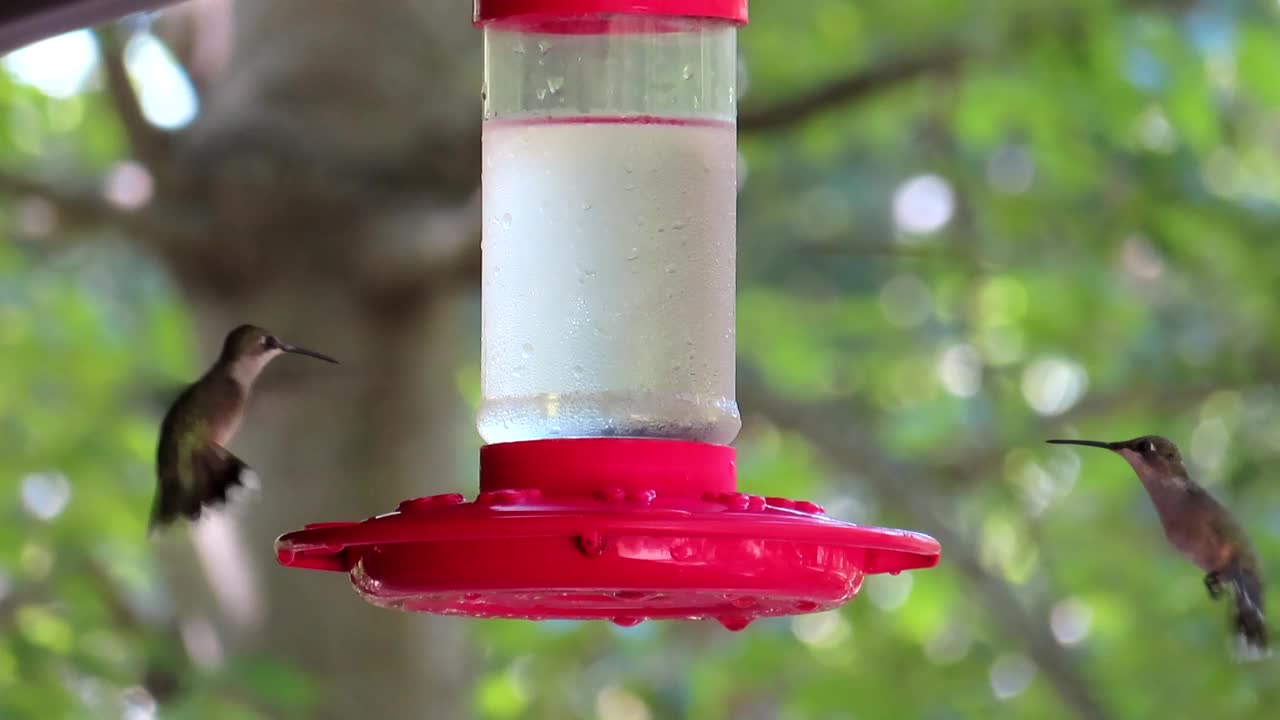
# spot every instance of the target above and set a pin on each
(1199, 527)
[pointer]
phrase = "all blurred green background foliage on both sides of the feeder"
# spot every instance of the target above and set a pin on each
(1107, 270)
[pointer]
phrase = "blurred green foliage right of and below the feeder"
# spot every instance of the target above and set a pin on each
(1110, 226)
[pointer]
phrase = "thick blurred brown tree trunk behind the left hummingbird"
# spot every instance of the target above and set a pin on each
(330, 171)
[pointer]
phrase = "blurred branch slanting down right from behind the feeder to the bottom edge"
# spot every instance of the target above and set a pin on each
(839, 439)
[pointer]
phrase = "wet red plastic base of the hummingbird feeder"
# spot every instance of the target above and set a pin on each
(618, 528)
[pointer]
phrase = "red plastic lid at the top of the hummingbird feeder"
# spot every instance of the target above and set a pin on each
(490, 11)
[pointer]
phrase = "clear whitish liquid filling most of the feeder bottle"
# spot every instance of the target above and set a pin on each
(609, 281)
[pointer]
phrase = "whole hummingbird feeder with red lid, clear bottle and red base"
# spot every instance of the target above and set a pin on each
(609, 486)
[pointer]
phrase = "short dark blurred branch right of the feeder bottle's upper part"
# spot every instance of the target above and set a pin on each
(860, 86)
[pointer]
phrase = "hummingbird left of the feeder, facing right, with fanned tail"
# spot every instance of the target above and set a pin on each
(194, 467)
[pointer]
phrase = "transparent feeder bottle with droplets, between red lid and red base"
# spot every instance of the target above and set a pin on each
(610, 194)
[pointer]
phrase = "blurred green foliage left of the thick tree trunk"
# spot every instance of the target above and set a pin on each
(88, 334)
